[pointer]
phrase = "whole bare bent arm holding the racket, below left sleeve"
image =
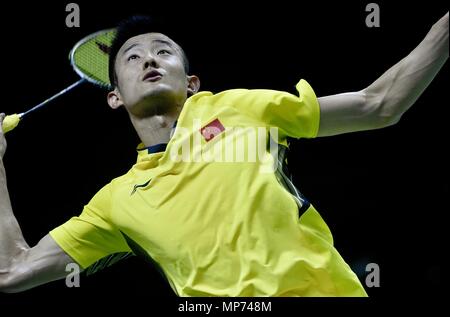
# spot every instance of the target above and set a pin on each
(22, 267)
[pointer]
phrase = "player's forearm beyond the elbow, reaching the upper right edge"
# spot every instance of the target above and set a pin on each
(398, 88)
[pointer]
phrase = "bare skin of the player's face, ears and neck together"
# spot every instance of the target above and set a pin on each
(152, 107)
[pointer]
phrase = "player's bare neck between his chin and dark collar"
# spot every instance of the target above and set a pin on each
(155, 129)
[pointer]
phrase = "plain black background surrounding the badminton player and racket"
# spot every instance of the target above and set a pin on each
(383, 193)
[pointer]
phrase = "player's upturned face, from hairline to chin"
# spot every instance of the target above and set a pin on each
(150, 75)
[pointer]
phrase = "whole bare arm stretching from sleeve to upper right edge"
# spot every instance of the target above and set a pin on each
(383, 102)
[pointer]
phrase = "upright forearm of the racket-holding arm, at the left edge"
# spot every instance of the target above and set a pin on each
(12, 242)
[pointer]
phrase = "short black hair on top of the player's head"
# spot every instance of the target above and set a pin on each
(137, 25)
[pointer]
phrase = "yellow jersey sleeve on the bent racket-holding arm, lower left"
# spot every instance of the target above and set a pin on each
(91, 236)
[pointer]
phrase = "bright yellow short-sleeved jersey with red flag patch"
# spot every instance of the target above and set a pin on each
(214, 209)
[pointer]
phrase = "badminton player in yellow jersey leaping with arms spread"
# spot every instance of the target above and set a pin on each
(208, 200)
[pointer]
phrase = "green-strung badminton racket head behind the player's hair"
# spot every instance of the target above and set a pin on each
(89, 57)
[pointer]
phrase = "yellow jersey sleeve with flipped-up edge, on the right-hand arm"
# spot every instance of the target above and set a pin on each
(294, 116)
